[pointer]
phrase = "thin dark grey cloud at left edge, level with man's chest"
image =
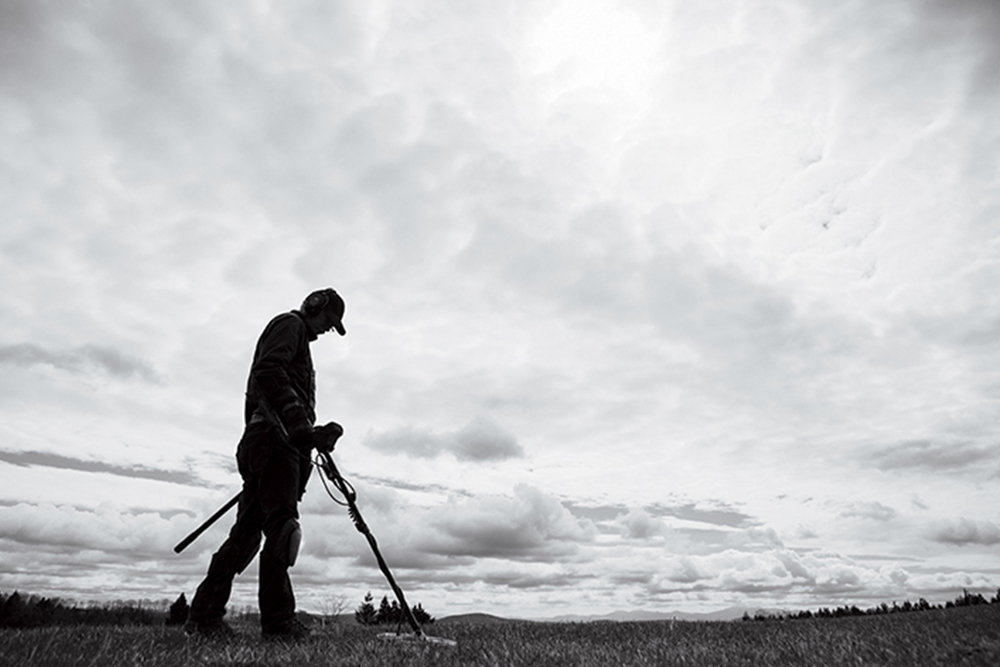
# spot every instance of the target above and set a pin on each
(80, 360)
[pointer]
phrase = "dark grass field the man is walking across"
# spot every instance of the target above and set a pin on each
(962, 636)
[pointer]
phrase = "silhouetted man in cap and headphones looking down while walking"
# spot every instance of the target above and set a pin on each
(273, 457)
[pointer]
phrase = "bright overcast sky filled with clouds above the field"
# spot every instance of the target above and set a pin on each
(651, 304)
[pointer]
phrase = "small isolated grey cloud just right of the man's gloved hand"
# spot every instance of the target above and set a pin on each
(480, 440)
